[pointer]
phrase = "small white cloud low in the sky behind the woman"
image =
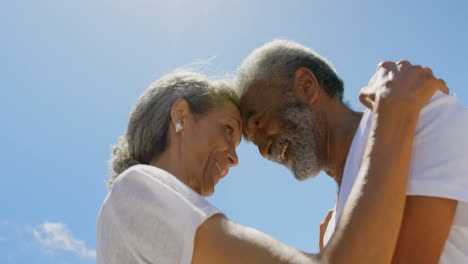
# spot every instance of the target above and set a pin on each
(56, 236)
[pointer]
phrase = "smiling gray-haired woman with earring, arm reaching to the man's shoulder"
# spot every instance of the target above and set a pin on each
(185, 128)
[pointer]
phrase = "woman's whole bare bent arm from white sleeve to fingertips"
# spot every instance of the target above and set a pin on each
(368, 228)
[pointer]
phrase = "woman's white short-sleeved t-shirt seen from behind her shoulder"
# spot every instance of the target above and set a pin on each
(149, 216)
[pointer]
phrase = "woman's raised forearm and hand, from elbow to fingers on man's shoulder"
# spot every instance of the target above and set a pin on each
(368, 229)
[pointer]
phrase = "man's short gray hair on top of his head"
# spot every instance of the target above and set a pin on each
(277, 61)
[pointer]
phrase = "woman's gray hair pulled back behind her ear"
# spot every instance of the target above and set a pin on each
(146, 136)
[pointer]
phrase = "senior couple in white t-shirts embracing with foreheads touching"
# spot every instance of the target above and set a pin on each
(401, 165)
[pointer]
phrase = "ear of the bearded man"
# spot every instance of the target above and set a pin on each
(306, 86)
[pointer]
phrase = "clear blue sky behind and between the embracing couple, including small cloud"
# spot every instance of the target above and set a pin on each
(70, 72)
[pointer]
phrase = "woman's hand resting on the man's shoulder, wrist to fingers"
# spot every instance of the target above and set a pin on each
(401, 86)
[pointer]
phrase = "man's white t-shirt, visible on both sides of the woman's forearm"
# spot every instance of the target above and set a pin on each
(439, 167)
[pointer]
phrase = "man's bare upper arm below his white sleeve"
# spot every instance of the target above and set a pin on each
(425, 228)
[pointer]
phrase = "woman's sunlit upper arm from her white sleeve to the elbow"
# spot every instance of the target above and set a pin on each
(221, 241)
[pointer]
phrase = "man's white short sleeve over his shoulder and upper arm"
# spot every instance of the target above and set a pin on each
(439, 165)
